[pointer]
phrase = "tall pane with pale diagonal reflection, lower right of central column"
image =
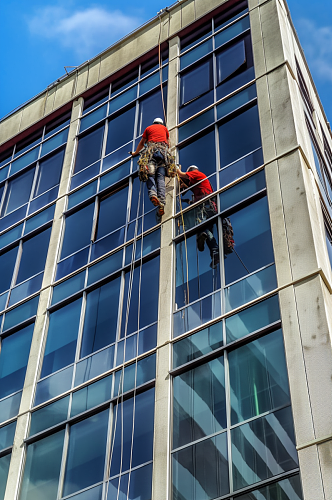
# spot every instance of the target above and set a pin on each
(199, 404)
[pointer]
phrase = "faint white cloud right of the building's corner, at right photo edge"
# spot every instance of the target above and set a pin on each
(317, 45)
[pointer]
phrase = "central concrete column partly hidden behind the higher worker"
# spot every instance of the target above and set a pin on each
(162, 438)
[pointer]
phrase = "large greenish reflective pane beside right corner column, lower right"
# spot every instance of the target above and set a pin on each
(258, 377)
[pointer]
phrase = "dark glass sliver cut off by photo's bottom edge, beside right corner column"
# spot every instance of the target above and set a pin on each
(286, 489)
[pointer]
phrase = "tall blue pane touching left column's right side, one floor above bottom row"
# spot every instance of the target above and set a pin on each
(61, 338)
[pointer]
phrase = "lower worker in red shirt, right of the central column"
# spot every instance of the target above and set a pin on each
(201, 187)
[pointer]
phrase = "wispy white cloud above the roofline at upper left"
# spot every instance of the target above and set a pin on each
(85, 31)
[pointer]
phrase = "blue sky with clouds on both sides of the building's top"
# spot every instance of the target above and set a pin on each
(40, 37)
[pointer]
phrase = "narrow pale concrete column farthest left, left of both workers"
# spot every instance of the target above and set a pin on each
(40, 328)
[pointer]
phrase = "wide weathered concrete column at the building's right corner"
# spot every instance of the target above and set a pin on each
(302, 264)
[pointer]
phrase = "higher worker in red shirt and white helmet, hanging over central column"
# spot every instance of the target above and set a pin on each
(156, 139)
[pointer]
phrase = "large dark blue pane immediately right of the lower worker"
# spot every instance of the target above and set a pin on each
(252, 236)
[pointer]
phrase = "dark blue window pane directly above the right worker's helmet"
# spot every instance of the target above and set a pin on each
(201, 152)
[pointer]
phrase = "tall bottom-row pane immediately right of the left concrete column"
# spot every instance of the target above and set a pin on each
(42, 468)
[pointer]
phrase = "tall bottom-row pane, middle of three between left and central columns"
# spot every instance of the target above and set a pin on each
(86, 453)
